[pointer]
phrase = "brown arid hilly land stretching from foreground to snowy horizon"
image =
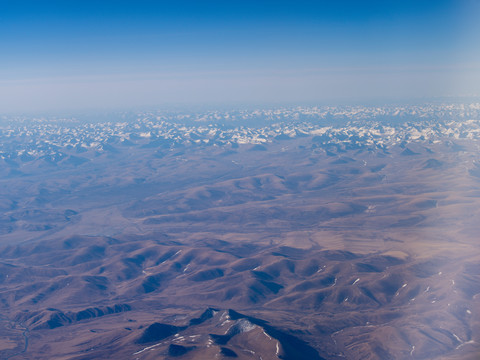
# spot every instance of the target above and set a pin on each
(301, 242)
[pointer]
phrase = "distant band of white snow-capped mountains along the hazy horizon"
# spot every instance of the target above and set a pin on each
(348, 127)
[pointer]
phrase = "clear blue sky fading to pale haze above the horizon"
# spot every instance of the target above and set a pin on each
(60, 55)
